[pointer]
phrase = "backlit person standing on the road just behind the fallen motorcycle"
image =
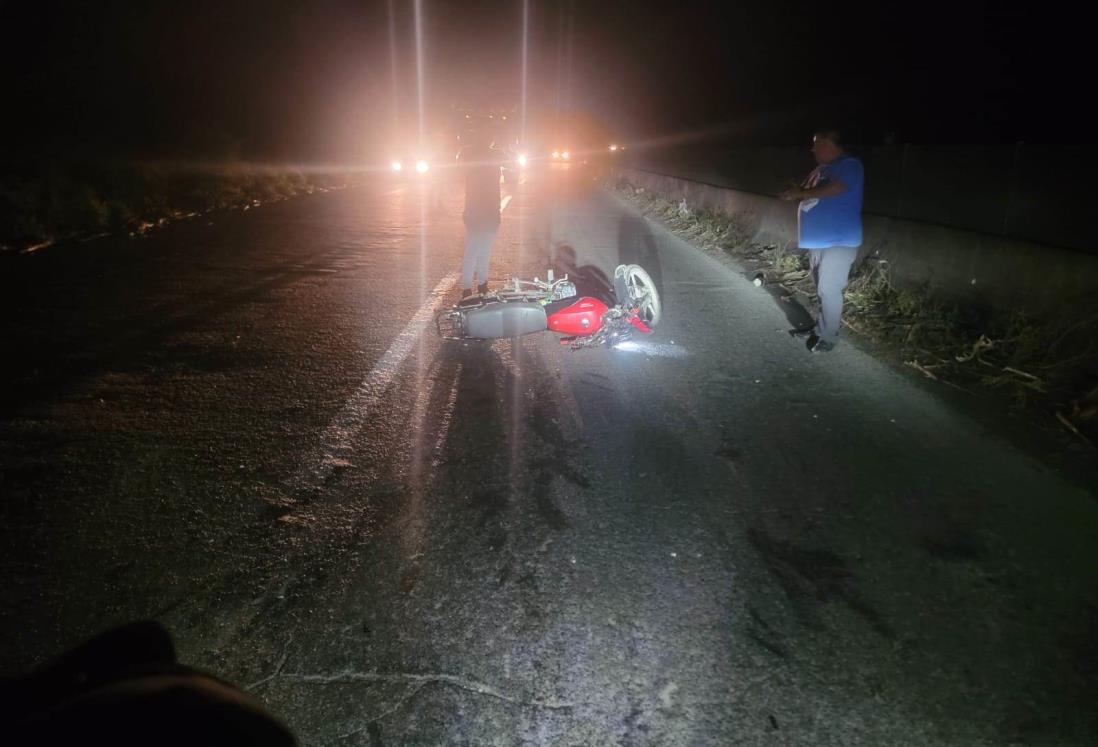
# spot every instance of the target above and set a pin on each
(480, 169)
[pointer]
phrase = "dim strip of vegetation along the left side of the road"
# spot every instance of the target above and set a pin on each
(41, 207)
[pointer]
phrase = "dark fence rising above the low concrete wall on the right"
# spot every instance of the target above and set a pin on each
(1039, 194)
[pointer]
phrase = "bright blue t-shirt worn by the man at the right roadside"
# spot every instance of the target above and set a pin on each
(834, 221)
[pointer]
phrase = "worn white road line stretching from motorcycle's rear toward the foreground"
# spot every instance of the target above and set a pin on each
(338, 444)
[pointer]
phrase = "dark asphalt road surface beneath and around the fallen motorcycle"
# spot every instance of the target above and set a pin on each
(249, 430)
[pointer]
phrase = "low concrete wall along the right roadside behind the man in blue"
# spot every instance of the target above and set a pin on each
(962, 266)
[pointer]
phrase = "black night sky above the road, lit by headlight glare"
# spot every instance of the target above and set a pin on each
(312, 80)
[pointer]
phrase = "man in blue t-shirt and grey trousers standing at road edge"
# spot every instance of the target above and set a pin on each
(830, 227)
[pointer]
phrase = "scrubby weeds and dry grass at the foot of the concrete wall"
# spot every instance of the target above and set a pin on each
(1047, 367)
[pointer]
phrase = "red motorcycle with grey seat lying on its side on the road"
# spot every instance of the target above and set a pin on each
(525, 307)
